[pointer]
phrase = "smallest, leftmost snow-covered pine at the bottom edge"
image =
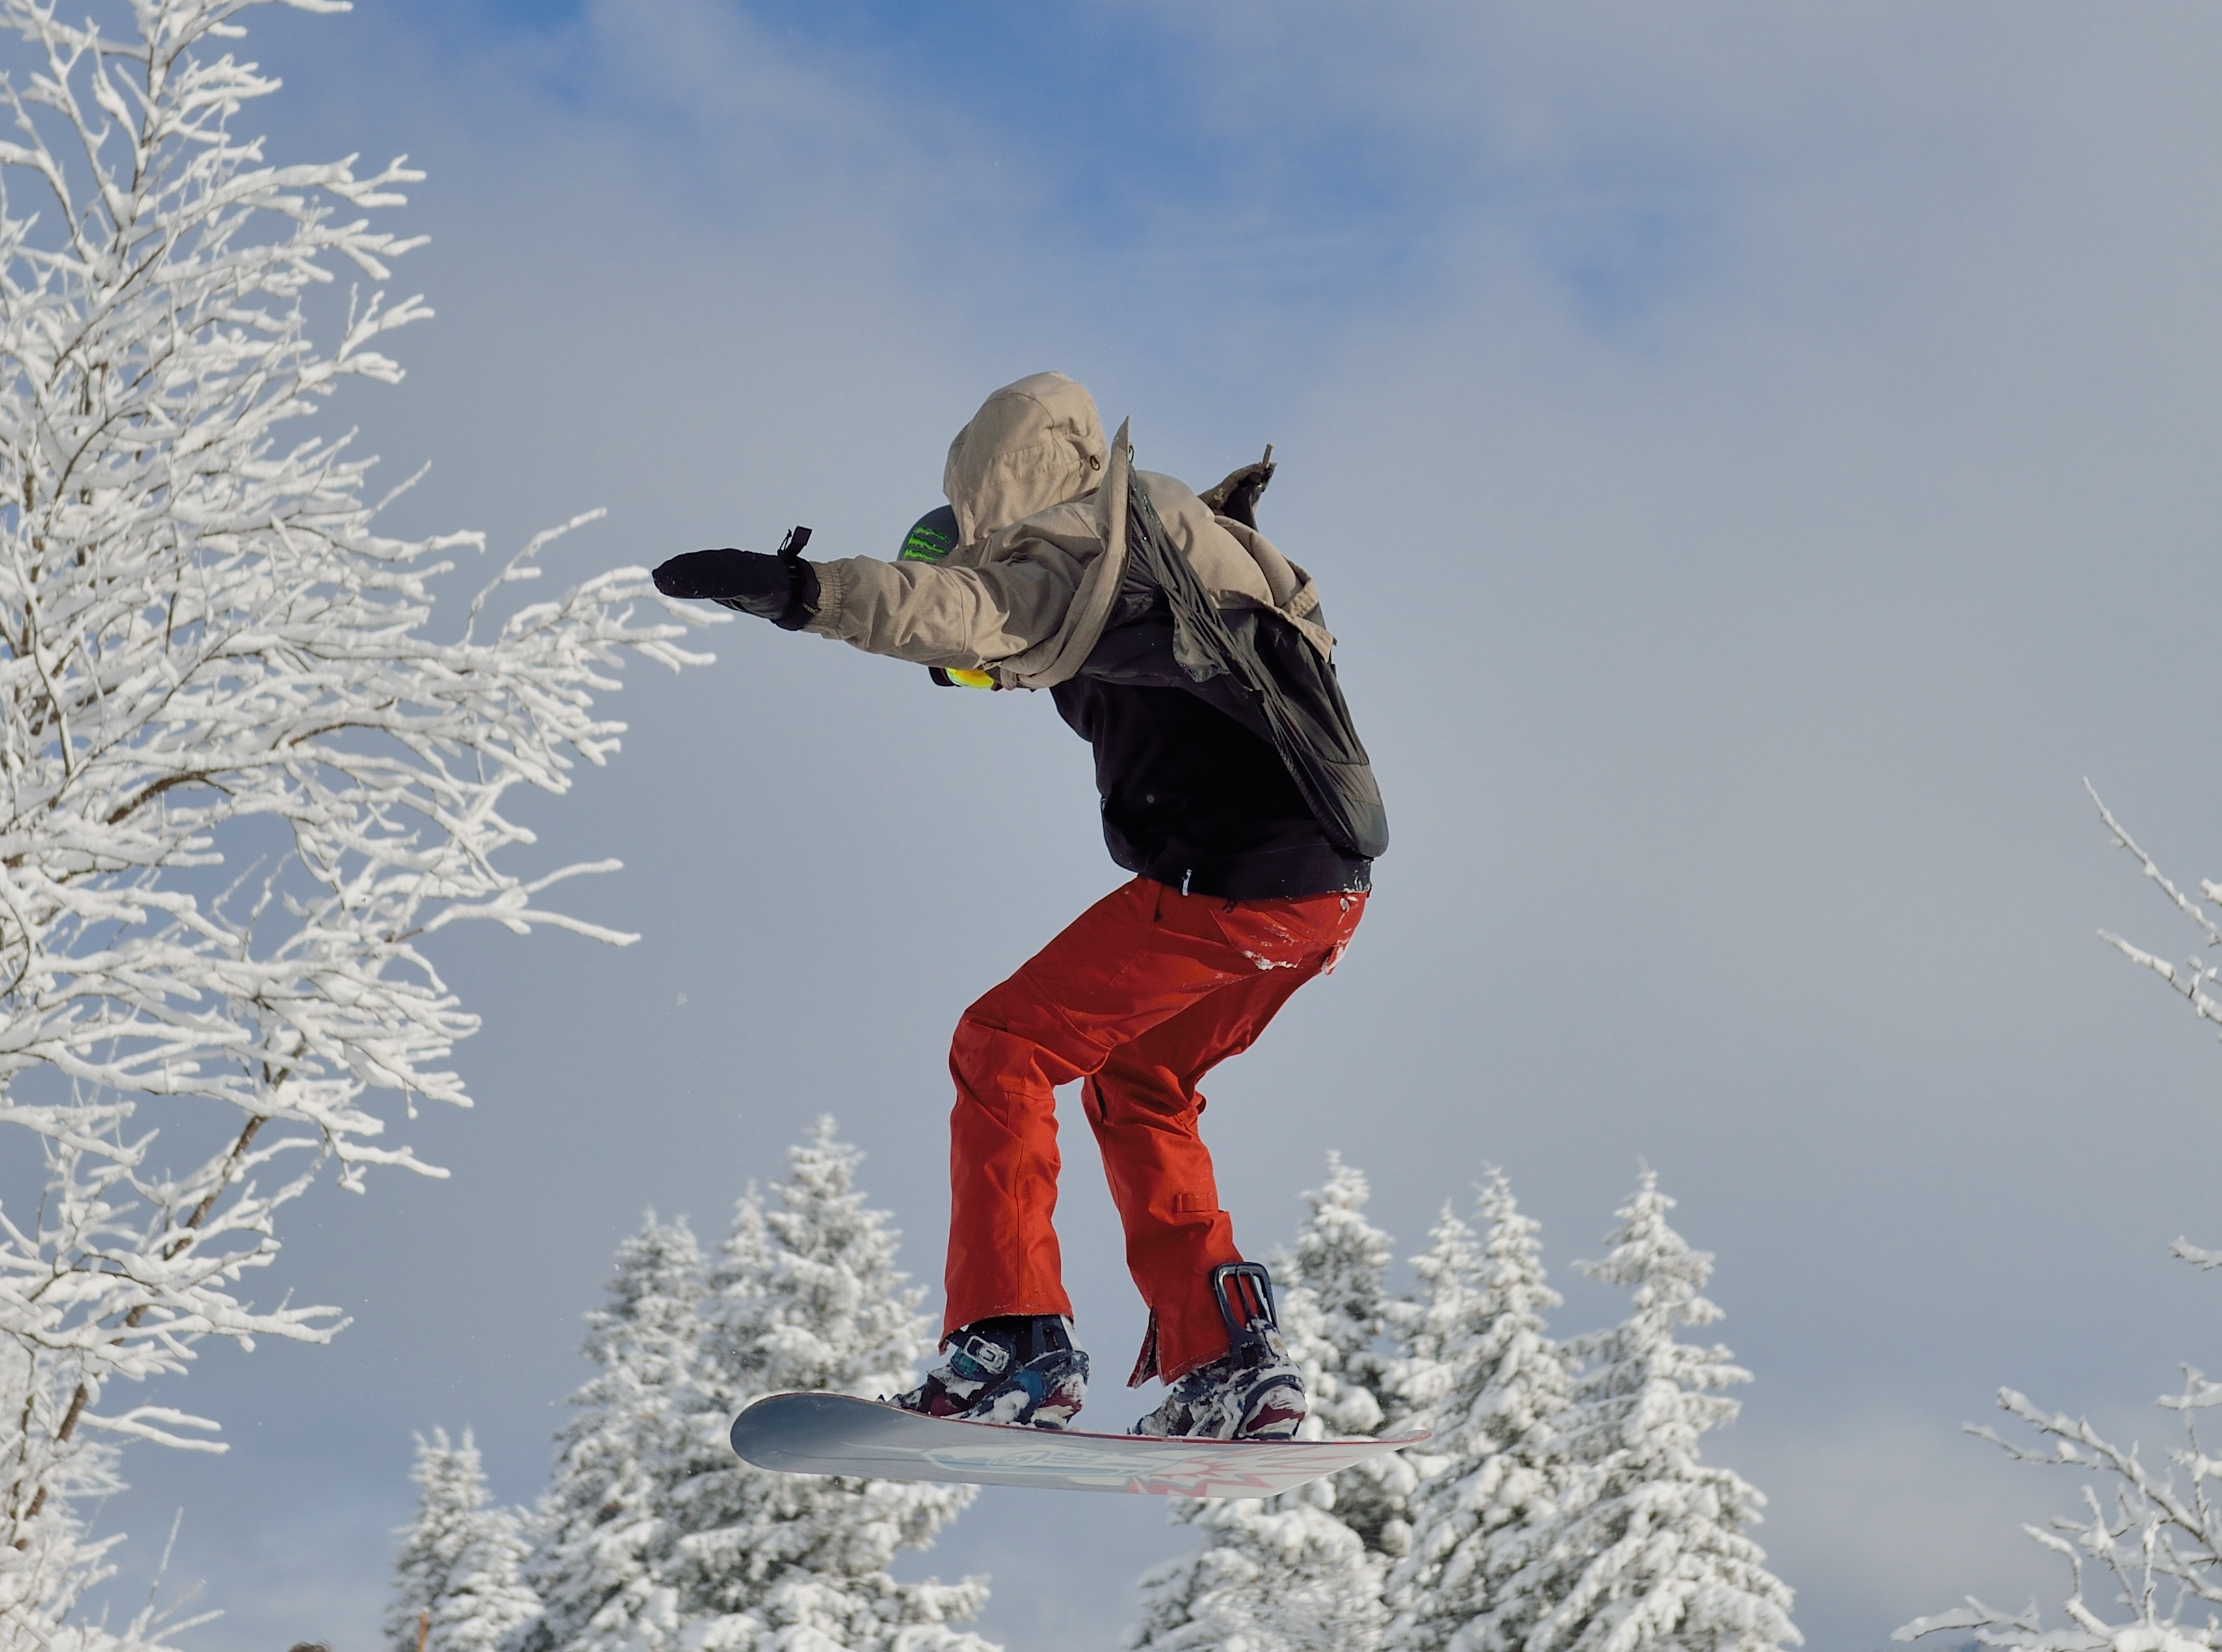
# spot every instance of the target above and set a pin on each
(457, 1582)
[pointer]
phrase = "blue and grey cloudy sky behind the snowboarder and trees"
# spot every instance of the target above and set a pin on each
(1759, 467)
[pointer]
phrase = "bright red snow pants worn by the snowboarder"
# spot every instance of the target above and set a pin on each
(1141, 996)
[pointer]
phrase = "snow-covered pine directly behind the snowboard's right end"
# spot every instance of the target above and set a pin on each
(1303, 1569)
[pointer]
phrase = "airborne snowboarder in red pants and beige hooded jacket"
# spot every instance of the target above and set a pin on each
(1190, 654)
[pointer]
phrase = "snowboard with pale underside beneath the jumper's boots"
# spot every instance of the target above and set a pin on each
(845, 1436)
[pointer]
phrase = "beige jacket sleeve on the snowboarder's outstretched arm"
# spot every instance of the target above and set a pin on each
(941, 616)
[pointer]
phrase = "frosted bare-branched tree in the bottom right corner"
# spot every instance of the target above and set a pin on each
(2145, 1555)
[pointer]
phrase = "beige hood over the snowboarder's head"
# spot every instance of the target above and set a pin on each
(1032, 445)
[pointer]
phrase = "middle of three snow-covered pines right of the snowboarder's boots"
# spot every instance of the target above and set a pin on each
(1488, 1380)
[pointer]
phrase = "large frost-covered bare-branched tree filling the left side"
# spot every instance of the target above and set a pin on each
(243, 774)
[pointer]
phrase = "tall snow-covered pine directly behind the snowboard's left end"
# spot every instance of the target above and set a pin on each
(805, 1296)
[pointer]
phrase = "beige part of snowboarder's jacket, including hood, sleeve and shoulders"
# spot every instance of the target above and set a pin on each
(1041, 550)
